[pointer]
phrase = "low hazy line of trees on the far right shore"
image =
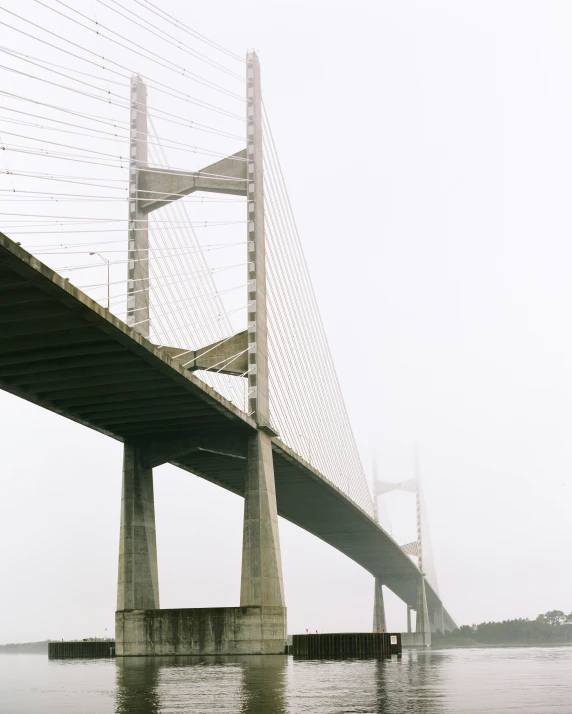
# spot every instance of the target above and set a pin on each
(550, 628)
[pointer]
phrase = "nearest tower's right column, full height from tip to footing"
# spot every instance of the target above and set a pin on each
(261, 582)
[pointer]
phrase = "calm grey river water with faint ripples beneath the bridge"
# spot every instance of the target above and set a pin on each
(532, 680)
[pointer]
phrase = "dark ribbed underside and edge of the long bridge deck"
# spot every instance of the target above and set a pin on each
(61, 350)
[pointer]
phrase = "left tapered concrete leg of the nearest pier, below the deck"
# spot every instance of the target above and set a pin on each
(138, 582)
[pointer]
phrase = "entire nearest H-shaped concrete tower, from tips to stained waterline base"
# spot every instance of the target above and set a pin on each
(260, 621)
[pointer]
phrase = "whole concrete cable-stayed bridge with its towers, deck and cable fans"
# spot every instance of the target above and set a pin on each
(153, 287)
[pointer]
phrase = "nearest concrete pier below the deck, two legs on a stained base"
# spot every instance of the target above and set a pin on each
(258, 626)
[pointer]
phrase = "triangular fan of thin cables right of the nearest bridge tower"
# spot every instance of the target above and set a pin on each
(305, 396)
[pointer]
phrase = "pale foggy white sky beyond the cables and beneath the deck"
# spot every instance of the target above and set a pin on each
(426, 148)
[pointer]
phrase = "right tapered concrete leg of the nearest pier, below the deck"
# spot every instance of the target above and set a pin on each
(261, 582)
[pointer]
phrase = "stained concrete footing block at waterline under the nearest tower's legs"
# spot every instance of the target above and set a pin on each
(201, 631)
